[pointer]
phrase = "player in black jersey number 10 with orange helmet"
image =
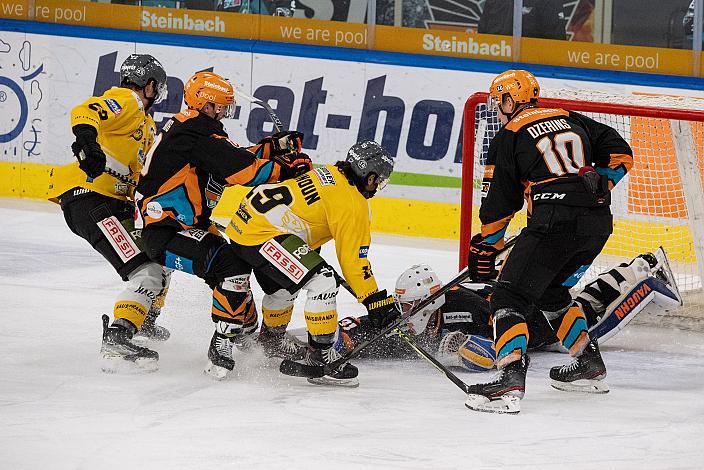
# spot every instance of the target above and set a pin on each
(565, 165)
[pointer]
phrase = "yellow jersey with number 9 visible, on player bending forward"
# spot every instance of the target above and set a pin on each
(318, 206)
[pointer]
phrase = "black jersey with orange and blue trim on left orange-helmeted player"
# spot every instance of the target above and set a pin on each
(187, 169)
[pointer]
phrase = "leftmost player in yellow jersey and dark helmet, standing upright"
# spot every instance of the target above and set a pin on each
(113, 133)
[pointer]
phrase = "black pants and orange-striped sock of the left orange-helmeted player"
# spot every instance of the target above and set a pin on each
(204, 253)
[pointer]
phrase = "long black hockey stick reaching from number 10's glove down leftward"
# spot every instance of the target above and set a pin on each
(330, 368)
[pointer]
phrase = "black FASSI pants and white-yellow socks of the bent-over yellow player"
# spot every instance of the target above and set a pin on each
(284, 266)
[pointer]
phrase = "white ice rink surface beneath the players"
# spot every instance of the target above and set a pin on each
(59, 411)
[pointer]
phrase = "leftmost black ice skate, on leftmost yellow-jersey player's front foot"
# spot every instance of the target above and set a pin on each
(119, 354)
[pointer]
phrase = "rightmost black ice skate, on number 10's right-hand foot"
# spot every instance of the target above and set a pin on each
(585, 373)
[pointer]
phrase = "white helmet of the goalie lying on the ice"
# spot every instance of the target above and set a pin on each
(413, 286)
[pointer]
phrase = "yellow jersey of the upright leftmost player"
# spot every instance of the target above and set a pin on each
(125, 133)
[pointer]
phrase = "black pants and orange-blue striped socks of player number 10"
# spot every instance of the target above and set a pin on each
(558, 241)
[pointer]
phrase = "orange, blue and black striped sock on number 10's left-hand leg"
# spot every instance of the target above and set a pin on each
(511, 333)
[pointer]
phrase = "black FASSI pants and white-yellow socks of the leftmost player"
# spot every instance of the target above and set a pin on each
(107, 224)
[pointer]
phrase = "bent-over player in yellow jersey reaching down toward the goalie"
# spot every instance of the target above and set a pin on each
(277, 229)
